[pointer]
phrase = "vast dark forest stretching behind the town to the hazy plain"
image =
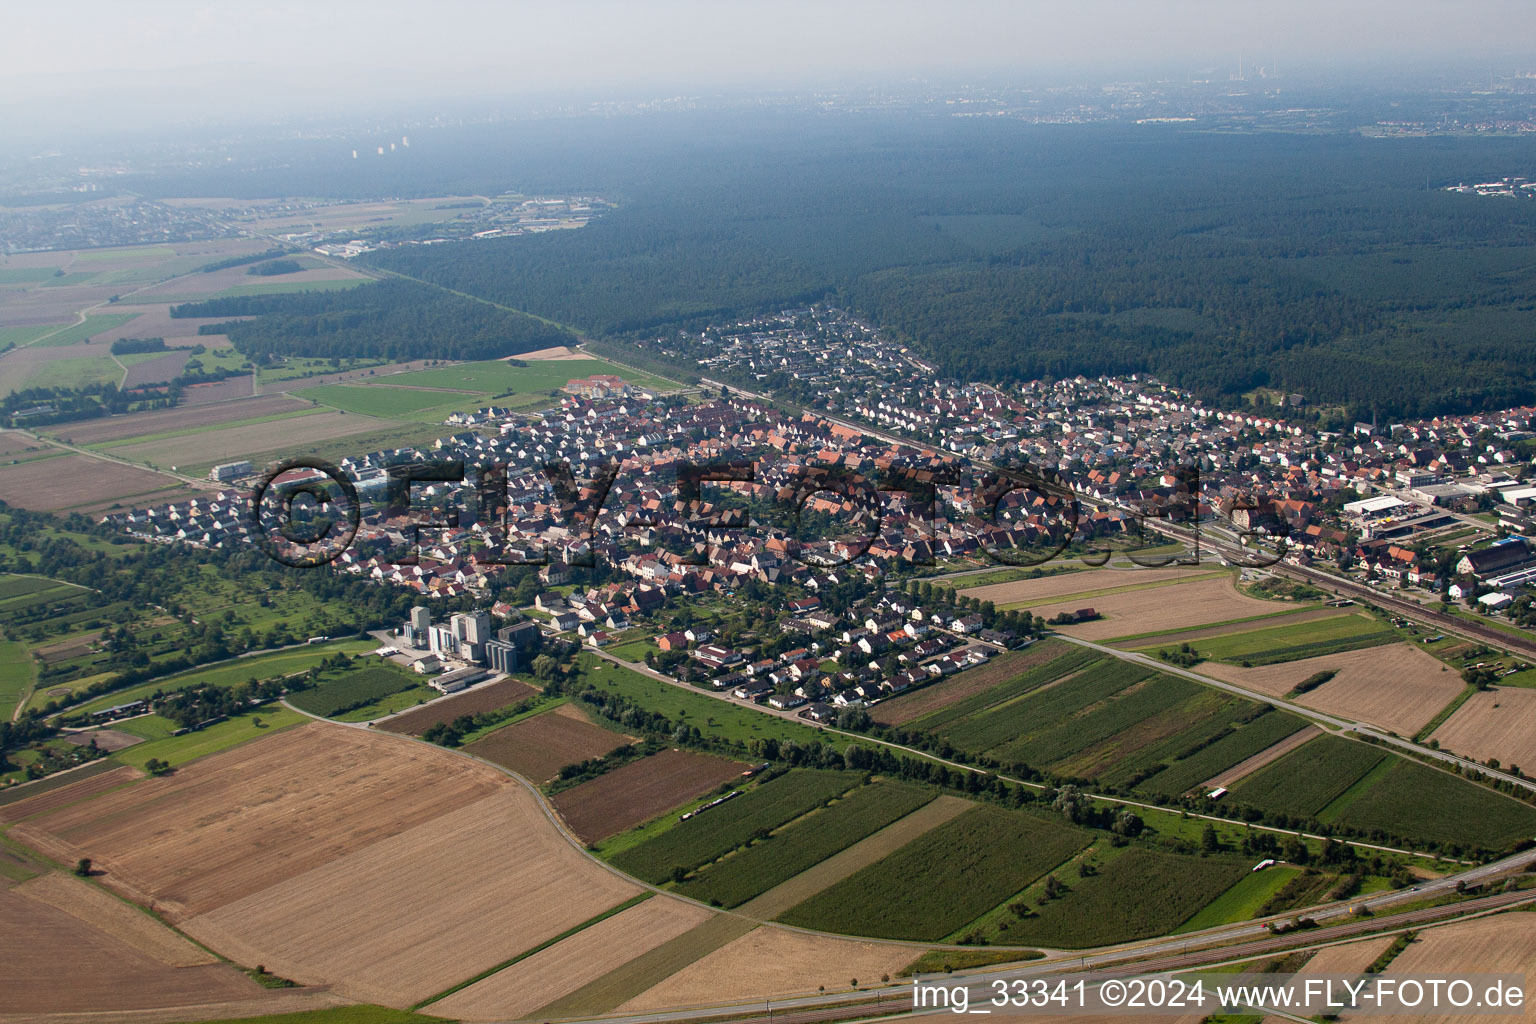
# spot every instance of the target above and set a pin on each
(1334, 268)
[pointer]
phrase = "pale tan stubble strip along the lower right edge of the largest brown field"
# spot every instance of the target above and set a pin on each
(572, 963)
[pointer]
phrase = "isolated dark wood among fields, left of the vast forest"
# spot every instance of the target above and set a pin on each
(388, 320)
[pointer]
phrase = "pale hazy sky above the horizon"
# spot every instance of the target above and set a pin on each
(325, 55)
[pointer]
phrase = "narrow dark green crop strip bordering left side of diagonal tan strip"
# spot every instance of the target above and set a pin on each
(804, 844)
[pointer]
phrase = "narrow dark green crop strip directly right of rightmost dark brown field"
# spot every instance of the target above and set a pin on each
(715, 833)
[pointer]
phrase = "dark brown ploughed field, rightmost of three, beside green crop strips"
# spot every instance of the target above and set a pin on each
(640, 791)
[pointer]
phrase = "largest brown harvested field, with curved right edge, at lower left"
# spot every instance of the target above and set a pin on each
(277, 853)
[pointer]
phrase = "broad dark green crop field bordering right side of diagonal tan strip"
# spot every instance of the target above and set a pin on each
(952, 876)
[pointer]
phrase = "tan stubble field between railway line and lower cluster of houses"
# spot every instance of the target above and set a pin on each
(1199, 603)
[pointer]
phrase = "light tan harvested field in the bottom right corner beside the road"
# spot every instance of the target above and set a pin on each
(1495, 945)
